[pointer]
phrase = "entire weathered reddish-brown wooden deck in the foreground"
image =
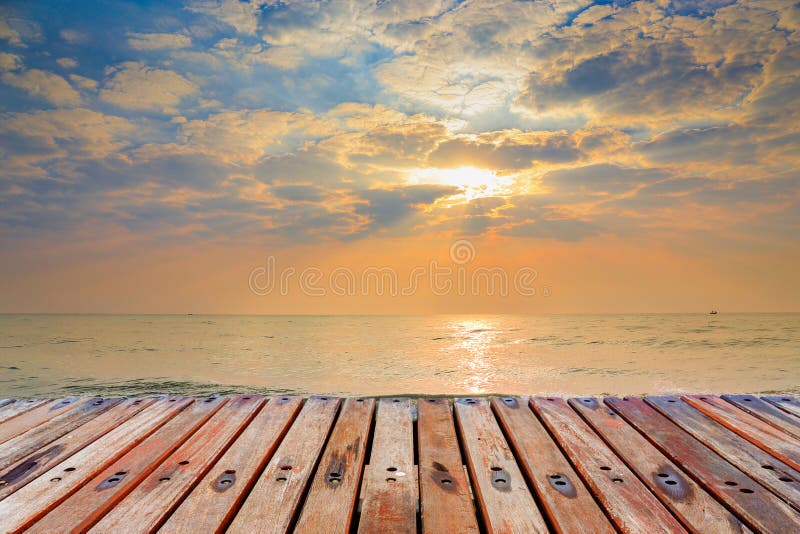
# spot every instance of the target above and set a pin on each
(247, 463)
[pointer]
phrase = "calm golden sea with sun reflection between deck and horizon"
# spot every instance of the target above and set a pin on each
(52, 355)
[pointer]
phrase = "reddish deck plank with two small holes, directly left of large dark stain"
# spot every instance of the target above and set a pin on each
(628, 502)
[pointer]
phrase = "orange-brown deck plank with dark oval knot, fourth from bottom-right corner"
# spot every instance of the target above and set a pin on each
(565, 499)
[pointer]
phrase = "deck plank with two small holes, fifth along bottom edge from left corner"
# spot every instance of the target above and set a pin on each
(274, 501)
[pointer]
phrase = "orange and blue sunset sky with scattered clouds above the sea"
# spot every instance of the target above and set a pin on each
(426, 156)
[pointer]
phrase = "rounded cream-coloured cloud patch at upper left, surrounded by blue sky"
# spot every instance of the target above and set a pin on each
(135, 86)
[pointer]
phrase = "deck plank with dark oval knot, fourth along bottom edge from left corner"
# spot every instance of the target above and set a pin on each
(213, 502)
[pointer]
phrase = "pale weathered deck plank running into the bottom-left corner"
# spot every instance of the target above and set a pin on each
(37, 497)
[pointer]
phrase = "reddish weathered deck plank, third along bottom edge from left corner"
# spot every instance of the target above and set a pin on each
(149, 504)
